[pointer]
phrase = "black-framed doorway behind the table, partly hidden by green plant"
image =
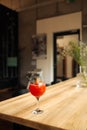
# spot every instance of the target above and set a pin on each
(65, 68)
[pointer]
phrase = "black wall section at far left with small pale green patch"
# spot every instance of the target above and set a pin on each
(8, 47)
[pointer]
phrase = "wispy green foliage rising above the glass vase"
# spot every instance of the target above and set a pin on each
(78, 51)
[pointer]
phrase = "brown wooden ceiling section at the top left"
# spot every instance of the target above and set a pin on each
(20, 5)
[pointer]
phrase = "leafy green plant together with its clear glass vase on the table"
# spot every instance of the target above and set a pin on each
(78, 51)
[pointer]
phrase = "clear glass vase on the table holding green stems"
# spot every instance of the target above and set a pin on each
(82, 77)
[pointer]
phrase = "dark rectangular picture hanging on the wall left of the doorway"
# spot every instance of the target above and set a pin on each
(39, 46)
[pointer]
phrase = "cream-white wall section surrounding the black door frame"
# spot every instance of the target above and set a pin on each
(50, 26)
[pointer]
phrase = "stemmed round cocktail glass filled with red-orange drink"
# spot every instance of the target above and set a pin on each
(37, 88)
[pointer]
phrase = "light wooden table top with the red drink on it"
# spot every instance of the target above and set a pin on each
(64, 105)
